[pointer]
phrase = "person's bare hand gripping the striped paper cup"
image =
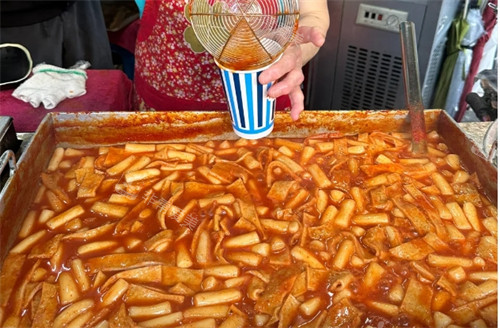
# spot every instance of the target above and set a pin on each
(287, 72)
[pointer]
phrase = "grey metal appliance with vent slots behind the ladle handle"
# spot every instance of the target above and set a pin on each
(359, 67)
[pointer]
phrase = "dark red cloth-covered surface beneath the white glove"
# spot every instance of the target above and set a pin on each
(107, 90)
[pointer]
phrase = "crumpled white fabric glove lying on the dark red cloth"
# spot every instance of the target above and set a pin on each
(51, 84)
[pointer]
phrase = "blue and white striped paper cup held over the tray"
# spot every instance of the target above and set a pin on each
(252, 112)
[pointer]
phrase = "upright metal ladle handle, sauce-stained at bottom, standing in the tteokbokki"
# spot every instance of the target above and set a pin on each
(412, 87)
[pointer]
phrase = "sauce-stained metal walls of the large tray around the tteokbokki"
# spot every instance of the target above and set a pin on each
(94, 129)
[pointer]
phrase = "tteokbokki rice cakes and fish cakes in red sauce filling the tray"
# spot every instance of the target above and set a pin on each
(328, 231)
